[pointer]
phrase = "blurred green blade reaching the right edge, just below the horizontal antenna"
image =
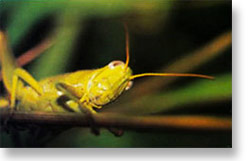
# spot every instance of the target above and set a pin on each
(197, 92)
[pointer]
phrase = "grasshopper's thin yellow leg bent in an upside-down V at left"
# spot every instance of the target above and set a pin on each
(20, 73)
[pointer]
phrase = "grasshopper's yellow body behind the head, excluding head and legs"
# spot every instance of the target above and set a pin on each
(30, 100)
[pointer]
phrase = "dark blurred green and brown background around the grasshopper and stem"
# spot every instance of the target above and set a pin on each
(165, 35)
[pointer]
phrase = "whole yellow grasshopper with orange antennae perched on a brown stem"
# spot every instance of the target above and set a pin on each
(78, 91)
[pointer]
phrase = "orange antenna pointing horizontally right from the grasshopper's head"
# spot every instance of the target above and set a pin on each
(170, 75)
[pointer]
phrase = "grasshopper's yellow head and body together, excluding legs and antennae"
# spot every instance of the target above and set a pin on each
(99, 86)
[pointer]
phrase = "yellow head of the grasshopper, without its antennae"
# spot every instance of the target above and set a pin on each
(109, 83)
